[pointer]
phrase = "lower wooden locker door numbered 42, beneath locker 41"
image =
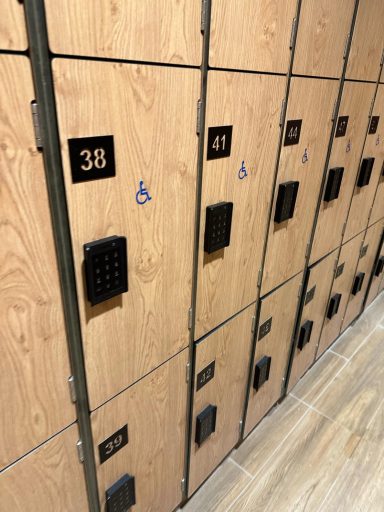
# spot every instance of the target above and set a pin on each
(225, 355)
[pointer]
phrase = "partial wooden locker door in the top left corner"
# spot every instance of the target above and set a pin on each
(13, 33)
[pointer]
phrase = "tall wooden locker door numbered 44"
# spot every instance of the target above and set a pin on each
(302, 160)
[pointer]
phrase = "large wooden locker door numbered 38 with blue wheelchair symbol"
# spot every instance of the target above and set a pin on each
(129, 335)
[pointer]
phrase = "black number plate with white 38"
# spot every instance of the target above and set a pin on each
(92, 158)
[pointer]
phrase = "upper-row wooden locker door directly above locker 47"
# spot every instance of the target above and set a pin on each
(367, 42)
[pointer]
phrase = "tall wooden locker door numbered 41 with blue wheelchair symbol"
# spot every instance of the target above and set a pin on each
(248, 107)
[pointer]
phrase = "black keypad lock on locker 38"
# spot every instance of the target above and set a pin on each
(106, 268)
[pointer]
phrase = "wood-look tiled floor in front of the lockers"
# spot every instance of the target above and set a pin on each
(322, 449)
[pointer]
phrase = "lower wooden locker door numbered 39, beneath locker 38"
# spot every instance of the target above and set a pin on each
(151, 417)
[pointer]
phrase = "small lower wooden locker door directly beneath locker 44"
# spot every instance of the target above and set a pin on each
(274, 336)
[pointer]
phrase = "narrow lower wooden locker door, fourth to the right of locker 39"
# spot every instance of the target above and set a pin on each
(342, 284)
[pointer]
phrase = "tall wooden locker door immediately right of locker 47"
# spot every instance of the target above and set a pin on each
(363, 196)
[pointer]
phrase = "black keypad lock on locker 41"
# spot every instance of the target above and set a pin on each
(218, 223)
